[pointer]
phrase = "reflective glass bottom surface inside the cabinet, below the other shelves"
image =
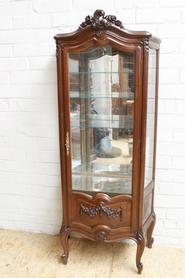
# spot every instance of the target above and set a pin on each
(97, 177)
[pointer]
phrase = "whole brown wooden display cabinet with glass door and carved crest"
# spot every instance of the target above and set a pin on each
(107, 95)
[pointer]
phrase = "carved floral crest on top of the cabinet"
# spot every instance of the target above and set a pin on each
(99, 20)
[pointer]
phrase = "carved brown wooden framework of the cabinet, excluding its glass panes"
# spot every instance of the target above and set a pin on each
(97, 31)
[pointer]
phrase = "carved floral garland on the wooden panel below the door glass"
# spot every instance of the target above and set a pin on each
(99, 210)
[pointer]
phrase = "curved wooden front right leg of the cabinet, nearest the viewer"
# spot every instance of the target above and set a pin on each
(140, 248)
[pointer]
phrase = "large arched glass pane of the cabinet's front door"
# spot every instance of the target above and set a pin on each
(101, 116)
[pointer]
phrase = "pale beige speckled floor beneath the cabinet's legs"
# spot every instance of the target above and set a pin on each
(29, 255)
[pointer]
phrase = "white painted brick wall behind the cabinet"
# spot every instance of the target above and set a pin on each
(29, 148)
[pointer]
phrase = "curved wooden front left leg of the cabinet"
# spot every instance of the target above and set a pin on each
(64, 235)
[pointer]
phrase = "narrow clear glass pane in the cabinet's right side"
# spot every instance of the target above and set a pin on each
(149, 152)
